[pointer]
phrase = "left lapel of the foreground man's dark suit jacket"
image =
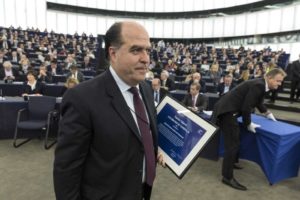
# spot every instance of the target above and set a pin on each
(119, 103)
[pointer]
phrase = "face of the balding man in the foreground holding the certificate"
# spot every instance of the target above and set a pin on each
(131, 60)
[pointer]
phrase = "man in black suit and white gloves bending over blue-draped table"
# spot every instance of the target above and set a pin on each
(240, 101)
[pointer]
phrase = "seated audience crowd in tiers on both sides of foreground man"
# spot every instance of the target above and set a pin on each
(29, 49)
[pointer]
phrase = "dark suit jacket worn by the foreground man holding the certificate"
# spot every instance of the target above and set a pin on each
(100, 154)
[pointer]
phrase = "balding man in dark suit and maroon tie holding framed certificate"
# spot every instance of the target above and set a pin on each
(103, 149)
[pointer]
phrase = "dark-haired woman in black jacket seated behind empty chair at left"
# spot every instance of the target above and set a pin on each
(32, 86)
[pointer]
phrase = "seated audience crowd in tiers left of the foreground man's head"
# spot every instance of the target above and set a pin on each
(28, 49)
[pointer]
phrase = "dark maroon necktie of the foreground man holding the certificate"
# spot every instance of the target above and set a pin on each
(146, 135)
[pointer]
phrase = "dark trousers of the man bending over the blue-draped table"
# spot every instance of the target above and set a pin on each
(231, 133)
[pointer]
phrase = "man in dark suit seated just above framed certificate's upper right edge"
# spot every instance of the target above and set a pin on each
(194, 100)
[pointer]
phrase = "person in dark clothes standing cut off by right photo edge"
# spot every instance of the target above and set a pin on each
(295, 80)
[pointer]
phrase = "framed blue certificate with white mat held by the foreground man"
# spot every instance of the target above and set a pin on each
(182, 135)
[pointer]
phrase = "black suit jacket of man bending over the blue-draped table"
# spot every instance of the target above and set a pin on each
(242, 99)
